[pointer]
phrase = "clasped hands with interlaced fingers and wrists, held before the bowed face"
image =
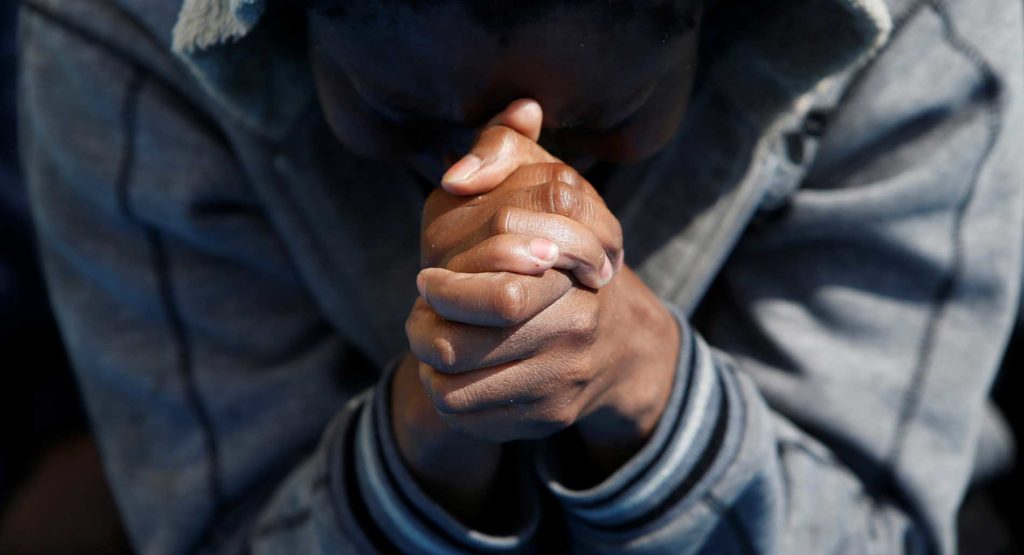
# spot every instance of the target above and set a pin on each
(528, 321)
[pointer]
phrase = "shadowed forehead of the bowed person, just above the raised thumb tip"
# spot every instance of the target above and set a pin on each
(462, 66)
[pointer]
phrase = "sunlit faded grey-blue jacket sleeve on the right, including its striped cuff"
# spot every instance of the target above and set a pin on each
(833, 399)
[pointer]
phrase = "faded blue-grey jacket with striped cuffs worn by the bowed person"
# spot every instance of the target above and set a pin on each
(838, 227)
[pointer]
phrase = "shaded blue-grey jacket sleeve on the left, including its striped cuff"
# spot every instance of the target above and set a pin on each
(232, 418)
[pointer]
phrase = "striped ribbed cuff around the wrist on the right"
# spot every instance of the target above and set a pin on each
(696, 430)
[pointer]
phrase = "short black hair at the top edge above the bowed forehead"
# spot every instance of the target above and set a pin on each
(668, 18)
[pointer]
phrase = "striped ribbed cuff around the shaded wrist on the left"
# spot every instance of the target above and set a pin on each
(413, 522)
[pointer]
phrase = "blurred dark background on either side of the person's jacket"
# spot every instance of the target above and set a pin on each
(54, 496)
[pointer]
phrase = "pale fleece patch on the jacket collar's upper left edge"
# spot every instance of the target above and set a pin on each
(203, 24)
